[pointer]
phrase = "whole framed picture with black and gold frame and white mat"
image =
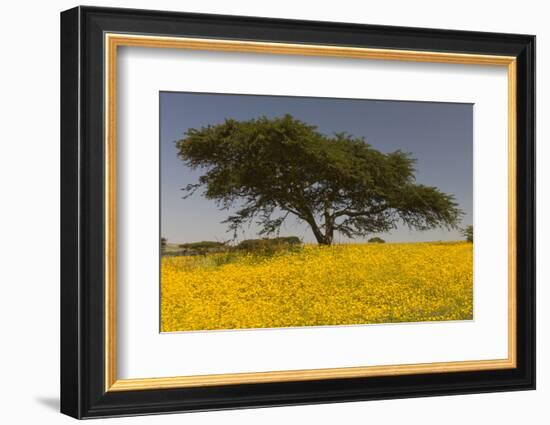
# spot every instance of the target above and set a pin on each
(261, 212)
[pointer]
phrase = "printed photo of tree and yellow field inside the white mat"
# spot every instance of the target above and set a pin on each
(287, 211)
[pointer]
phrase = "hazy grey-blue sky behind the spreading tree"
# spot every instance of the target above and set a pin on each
(438, 135)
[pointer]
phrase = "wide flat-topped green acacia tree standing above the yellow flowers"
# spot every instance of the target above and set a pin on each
(270, 169)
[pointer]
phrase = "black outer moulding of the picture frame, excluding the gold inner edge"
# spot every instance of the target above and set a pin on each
(83, 392)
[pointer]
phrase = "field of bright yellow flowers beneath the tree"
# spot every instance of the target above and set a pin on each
(318, 285)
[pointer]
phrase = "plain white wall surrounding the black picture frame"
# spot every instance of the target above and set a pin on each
(29, 171)
